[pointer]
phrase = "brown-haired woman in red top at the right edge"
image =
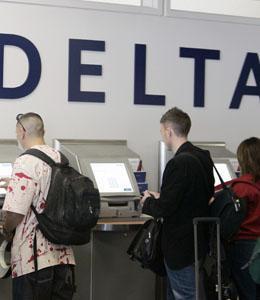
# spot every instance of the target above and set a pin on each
(247, 186)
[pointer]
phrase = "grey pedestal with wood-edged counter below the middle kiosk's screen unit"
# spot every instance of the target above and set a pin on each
(104, 270)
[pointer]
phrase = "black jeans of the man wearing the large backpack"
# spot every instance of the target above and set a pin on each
(53, 283)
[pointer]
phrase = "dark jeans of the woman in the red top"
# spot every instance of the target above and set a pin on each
(239, 254)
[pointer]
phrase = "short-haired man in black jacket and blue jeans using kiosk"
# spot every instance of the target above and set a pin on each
(187, 186)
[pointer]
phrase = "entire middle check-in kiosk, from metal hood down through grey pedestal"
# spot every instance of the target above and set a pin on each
(104, 270)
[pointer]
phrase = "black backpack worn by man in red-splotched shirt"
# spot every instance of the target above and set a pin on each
(72, 204)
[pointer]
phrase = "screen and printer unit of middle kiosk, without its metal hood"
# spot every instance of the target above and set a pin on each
(117, 185)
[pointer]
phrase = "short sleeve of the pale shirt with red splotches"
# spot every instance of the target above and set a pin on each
(21, 189)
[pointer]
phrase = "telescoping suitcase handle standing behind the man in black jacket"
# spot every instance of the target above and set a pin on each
(196, 221)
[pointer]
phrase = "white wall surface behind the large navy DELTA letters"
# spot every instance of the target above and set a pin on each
(50, 29)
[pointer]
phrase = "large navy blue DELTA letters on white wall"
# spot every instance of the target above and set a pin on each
(76, 69)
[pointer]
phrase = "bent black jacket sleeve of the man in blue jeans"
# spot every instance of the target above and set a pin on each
(174, 185)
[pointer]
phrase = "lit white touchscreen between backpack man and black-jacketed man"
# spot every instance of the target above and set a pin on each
(112, 177)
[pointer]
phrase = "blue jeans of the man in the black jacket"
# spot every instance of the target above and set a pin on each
(181, 283)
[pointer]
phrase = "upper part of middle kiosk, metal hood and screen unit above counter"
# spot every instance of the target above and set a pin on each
(110, 166)
